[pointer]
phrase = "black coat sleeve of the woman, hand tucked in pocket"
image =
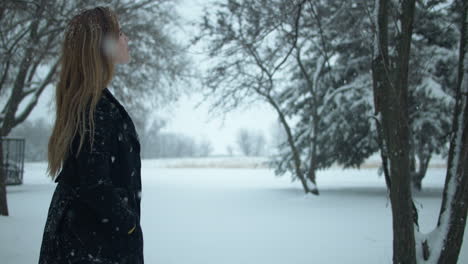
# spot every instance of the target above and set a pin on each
(110, 203)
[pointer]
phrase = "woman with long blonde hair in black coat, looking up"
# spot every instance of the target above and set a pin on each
(94, 153)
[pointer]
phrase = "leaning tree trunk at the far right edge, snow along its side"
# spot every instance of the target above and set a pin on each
(452, 218)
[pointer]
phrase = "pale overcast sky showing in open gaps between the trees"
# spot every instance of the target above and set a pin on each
(183, 116)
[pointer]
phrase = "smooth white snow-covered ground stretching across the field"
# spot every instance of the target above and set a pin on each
(239, 216)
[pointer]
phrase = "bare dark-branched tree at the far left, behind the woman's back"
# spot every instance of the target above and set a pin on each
(28, 48)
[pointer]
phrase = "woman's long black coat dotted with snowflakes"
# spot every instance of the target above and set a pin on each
(94, 215)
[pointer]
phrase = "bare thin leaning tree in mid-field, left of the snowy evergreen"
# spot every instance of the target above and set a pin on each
(246, 68)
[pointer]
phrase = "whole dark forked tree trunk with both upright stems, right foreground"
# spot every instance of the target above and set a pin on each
(391, 93)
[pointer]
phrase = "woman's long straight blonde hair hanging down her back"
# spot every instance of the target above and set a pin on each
(86, 69)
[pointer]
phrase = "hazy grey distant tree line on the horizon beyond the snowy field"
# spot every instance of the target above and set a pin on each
(155, 143)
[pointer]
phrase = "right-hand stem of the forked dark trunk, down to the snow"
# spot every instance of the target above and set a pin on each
(404, 250)
